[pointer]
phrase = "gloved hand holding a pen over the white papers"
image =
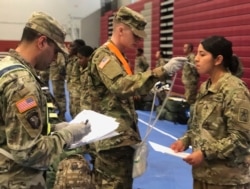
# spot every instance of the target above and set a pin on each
(78, 131)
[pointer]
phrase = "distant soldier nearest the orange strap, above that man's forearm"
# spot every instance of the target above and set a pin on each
(141, 64)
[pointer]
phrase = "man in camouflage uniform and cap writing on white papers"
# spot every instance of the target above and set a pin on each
(25, 148)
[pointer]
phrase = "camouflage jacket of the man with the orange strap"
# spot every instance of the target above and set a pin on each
(112, 91)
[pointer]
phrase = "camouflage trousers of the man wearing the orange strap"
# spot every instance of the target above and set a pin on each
(113, 168)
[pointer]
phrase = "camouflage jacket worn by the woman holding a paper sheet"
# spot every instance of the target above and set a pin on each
(220, 127)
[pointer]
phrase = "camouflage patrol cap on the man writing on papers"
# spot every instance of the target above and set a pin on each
(48, 26)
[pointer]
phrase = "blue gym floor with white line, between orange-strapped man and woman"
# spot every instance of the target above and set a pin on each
(163, 170)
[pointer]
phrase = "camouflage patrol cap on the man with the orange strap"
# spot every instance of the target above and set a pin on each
(133, 19)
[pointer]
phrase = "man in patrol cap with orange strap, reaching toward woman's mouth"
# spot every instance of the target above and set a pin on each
(112, 87)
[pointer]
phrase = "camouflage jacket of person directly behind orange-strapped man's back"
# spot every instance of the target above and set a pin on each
(85, 100)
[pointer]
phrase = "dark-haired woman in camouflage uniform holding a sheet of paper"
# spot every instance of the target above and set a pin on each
(220, 127)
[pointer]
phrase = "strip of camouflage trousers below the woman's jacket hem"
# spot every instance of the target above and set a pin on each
(203, 185)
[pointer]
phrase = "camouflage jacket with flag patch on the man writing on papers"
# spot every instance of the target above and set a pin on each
(22, 124)
